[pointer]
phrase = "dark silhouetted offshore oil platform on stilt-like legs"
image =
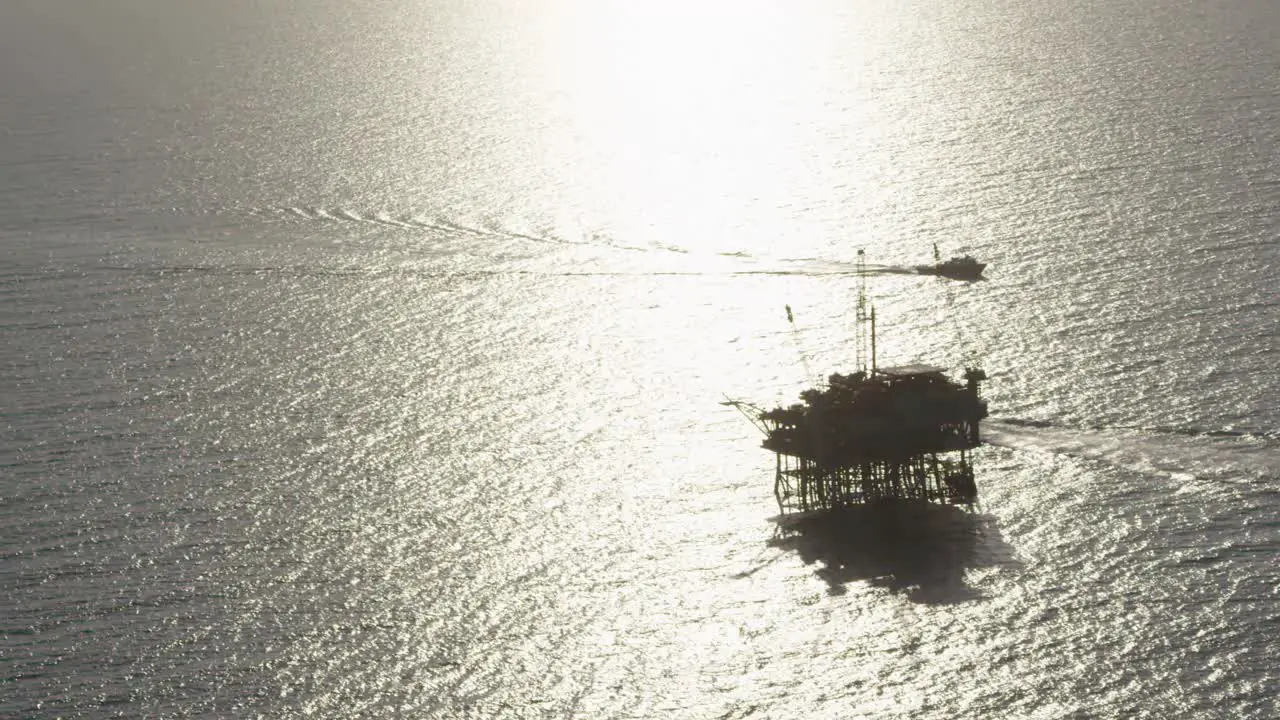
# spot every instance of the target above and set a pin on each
(875, 435)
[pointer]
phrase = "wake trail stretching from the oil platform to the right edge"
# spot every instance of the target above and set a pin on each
(1183, 454)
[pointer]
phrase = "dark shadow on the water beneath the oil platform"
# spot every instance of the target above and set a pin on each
(920, 550)
